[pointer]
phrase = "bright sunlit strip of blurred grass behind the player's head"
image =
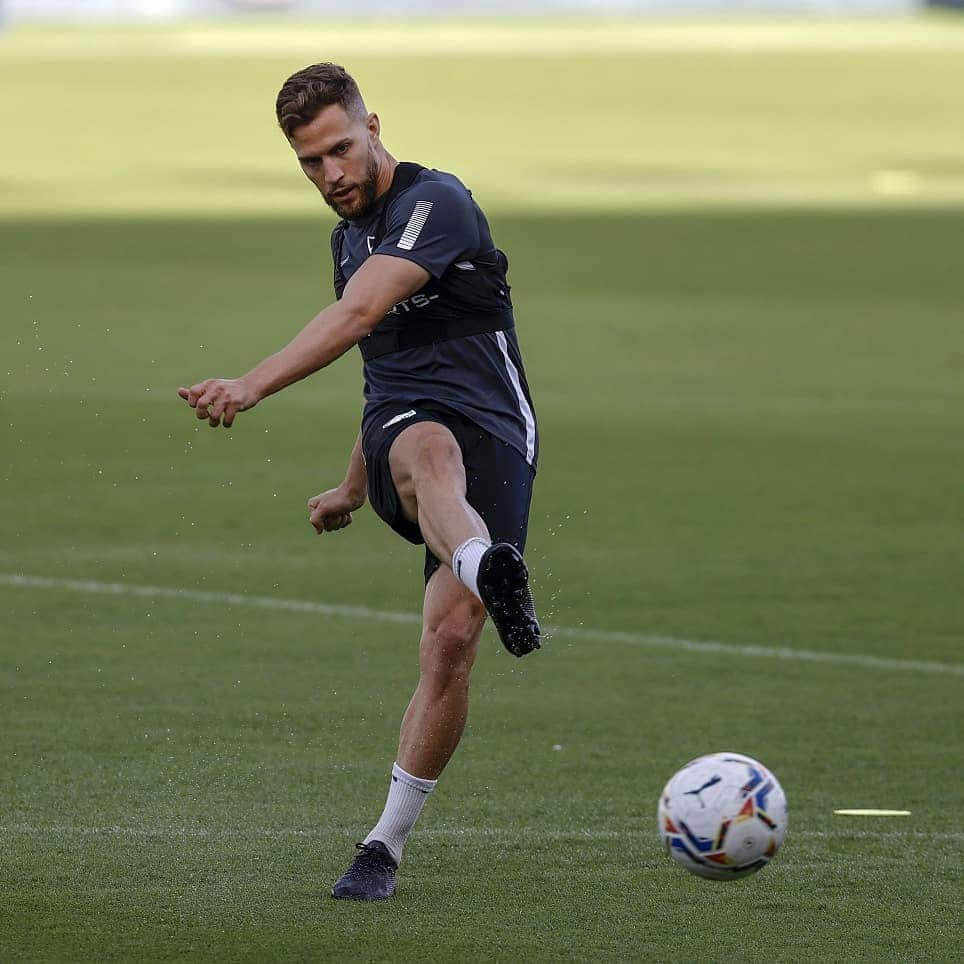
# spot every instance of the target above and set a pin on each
(555, 116)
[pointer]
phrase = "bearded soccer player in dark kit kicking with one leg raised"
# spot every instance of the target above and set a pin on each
(448, 443)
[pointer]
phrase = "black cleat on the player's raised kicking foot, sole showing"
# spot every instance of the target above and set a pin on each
(504, 586)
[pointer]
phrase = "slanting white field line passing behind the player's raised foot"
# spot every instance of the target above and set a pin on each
(557, 632)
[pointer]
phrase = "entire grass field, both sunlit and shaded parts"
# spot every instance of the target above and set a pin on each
(738, 281)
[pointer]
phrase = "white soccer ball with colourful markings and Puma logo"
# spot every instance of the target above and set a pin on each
(723, 816)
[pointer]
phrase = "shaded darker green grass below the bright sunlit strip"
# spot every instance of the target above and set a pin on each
(752, 433)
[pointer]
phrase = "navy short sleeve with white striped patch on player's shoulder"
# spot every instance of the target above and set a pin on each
(433, 224)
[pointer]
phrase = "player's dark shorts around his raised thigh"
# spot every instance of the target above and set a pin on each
(498, 479)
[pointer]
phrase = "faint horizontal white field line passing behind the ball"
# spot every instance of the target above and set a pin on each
(489, 833)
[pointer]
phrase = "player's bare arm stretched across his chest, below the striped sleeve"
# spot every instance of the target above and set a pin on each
(379, 283)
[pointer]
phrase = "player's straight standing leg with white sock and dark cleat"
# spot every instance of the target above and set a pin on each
(452, 620)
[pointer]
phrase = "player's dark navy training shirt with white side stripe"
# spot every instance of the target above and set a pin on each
(435, 223)
